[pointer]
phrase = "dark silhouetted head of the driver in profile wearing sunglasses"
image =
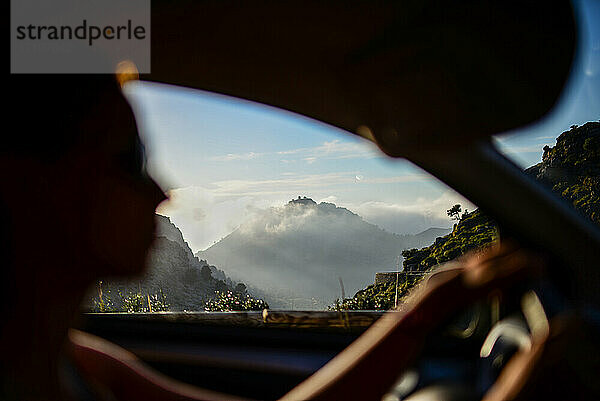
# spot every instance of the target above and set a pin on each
(74, 183)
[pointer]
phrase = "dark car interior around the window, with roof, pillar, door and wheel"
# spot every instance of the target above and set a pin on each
(429, 82)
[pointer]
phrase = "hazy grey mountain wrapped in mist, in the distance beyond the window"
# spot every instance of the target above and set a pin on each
(296, 254)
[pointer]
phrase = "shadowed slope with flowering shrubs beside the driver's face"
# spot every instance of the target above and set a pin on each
(175, 280)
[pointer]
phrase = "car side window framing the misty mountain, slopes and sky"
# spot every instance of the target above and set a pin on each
(268, 209)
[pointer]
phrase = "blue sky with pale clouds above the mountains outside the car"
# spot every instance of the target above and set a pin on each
(222, 159)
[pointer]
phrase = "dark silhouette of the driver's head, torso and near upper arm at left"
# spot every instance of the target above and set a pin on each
(77, 205)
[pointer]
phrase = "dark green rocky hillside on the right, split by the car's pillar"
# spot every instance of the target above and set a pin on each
(571, 169)
